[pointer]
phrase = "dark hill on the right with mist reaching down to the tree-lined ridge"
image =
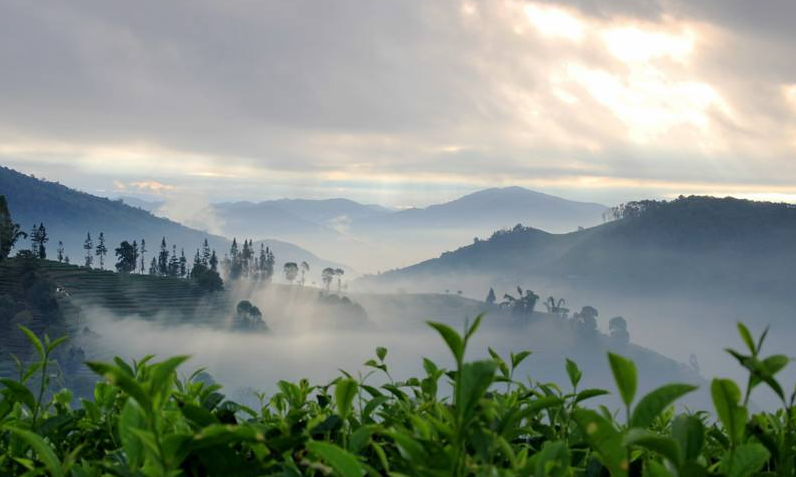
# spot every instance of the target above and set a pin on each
(681, 272)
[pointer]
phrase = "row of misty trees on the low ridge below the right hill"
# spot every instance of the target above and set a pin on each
(585, 320)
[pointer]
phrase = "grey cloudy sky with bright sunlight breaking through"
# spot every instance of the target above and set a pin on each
(402, 102)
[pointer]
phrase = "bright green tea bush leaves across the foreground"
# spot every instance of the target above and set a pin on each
(144, 421)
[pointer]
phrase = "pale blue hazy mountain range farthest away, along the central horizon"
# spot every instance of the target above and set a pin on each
(372, 237)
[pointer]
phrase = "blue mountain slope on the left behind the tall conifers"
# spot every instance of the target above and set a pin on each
(69, 214)
